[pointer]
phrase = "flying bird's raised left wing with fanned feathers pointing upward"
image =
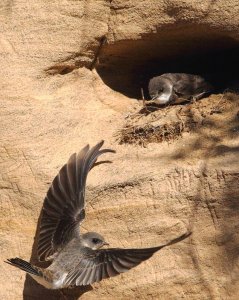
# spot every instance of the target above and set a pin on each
(64, 205)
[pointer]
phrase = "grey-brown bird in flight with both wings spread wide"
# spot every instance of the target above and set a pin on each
(77, 259)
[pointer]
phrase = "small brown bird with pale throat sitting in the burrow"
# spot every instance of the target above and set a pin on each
(178, 87)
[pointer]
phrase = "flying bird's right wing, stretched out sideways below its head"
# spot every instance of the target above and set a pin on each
(99, 264)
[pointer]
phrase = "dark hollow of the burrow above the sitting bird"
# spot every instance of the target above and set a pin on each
(126, 66)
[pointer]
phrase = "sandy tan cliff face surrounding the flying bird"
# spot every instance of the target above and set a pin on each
(69, 76)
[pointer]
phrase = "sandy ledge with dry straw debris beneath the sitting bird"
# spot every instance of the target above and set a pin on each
(170, 123)
